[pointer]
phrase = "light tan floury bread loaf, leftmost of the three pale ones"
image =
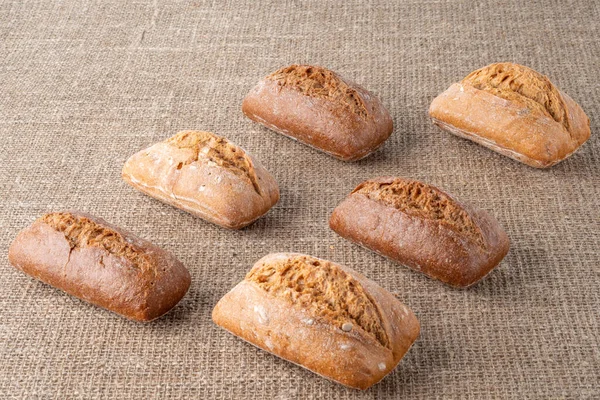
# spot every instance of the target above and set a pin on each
(206, 175)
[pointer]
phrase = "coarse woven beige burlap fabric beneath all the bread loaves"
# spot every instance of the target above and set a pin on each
(84, 84)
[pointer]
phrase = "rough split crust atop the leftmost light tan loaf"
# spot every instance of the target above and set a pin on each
(218, 150)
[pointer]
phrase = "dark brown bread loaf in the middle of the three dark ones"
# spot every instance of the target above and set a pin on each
(420, 226)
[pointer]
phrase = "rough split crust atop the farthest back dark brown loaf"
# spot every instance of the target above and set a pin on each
(320, 82)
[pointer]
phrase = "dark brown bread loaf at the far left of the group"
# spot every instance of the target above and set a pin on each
(100, 263)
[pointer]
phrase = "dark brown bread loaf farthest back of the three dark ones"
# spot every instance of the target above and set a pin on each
(319, 108)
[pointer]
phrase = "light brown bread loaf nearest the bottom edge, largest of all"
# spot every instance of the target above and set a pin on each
(320, 315)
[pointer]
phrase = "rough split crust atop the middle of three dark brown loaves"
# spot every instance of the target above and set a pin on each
(423, 201)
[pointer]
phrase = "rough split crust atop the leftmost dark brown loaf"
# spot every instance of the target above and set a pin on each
(82, 232)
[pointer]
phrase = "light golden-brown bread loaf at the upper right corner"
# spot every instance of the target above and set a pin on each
(514, 111)
